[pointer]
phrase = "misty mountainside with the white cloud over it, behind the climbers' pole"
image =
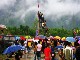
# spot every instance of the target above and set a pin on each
(24, 12)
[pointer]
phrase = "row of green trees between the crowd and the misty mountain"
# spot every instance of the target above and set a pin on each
(26, 30)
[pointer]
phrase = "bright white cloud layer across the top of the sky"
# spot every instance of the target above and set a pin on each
(48, 7)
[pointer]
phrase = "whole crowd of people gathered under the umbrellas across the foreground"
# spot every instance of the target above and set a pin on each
(51, 49)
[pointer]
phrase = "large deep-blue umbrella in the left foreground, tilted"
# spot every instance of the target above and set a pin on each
(12, 48)
